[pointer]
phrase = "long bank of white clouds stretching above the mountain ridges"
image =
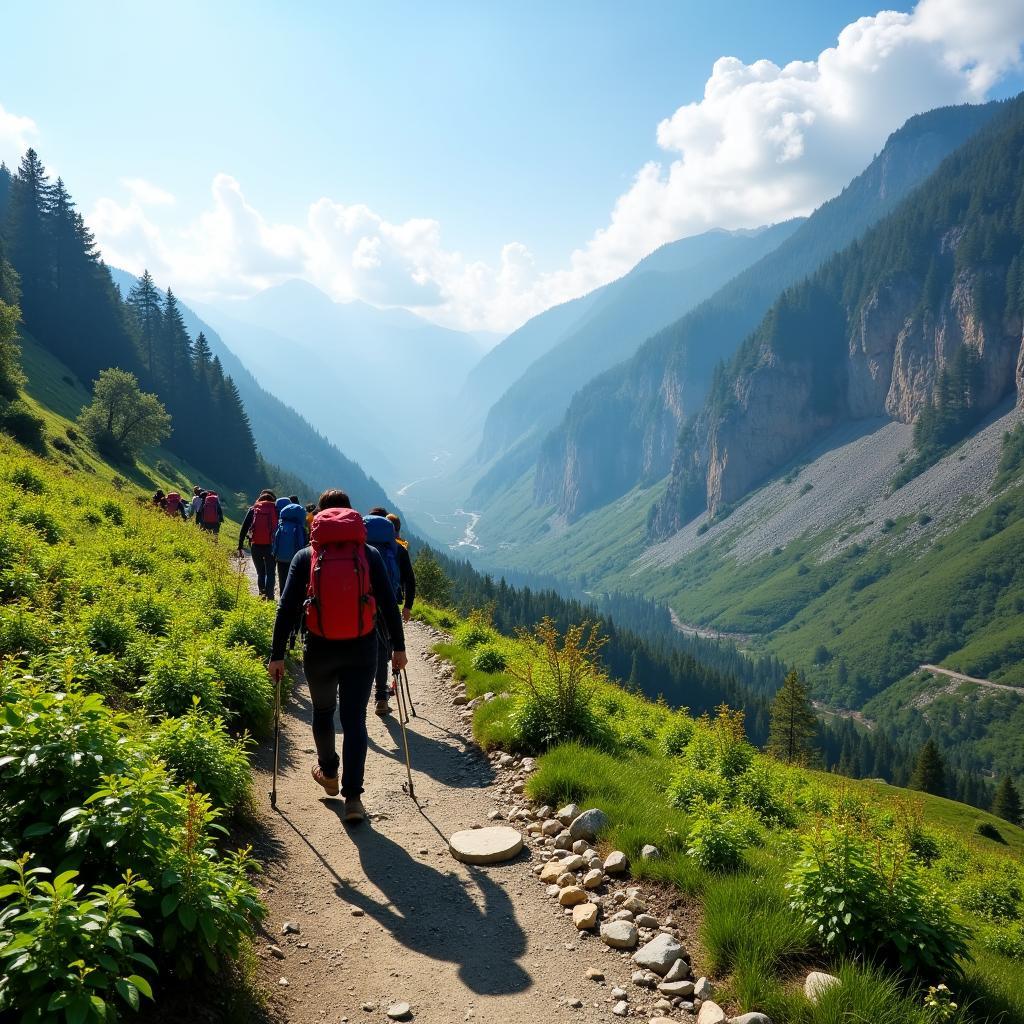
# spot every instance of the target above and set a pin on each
(765, 143)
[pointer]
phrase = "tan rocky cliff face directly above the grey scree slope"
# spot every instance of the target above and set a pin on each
(895, 354)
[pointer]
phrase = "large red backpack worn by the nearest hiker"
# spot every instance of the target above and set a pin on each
(340, 603)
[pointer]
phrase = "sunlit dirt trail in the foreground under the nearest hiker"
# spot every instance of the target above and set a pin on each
(456, 943)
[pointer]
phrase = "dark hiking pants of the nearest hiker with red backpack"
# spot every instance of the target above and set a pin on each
(338, 678)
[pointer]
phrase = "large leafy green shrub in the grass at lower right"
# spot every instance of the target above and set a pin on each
(870, 899)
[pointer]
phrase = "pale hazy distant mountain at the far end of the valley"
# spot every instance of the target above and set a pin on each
(381, 382)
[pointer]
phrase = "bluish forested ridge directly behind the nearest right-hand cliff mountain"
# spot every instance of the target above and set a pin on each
(621, 431)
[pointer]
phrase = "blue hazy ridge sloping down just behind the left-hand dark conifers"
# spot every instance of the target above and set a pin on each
(283, 437)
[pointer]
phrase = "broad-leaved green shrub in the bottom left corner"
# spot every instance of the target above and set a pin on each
(66, 956)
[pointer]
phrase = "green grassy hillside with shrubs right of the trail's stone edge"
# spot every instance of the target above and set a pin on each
(787, 869)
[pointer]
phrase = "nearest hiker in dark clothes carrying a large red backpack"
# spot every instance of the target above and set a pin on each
(342, 609)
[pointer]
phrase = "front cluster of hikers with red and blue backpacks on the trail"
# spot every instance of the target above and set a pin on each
(343, 578)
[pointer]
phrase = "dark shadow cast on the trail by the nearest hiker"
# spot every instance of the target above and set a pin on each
(433, 913)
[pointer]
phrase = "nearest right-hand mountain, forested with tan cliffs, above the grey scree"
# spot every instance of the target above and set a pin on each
(919, 321)
